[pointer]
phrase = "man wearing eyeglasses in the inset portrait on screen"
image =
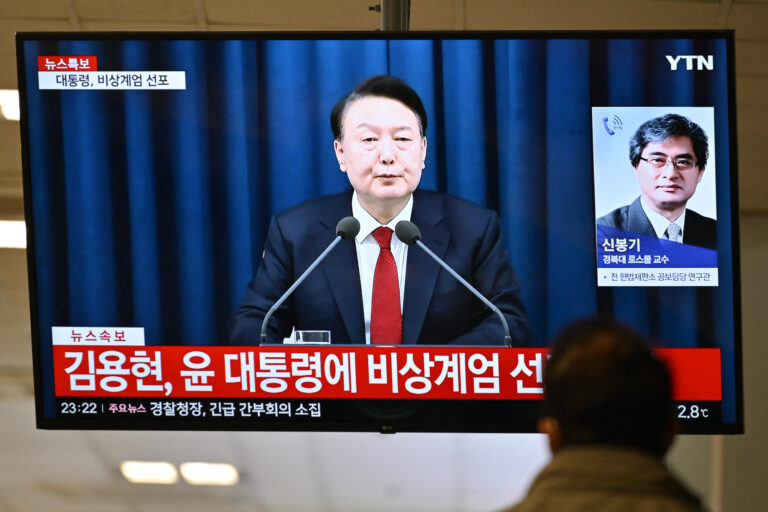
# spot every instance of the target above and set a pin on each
(668, 156)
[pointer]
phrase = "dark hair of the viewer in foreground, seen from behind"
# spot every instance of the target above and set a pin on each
(603, 385)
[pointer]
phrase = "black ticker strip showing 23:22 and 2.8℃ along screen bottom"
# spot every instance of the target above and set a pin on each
(271, 412)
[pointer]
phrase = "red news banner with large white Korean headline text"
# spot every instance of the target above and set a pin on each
(363, 372)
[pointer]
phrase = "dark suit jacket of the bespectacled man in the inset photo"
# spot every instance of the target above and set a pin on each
(699, 230)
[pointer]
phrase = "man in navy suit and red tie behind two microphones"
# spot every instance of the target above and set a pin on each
(377, 289)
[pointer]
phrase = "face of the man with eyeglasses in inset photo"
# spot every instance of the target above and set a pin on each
(667, 188)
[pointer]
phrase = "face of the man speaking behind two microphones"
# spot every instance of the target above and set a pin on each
(382, 150)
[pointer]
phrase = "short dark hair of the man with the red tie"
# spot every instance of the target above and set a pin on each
(384, 86)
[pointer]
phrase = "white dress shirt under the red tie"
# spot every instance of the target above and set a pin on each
(368, 253)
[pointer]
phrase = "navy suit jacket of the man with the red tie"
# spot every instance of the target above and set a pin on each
(436, 308)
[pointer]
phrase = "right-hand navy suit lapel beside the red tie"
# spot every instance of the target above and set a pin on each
(422, 271)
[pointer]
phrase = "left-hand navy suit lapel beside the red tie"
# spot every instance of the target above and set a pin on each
(340, 268)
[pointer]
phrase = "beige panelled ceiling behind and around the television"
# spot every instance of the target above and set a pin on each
(78, 470)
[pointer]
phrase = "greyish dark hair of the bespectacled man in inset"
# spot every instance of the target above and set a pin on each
(670, 125)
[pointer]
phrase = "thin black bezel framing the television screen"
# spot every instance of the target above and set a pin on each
(372, 426)
